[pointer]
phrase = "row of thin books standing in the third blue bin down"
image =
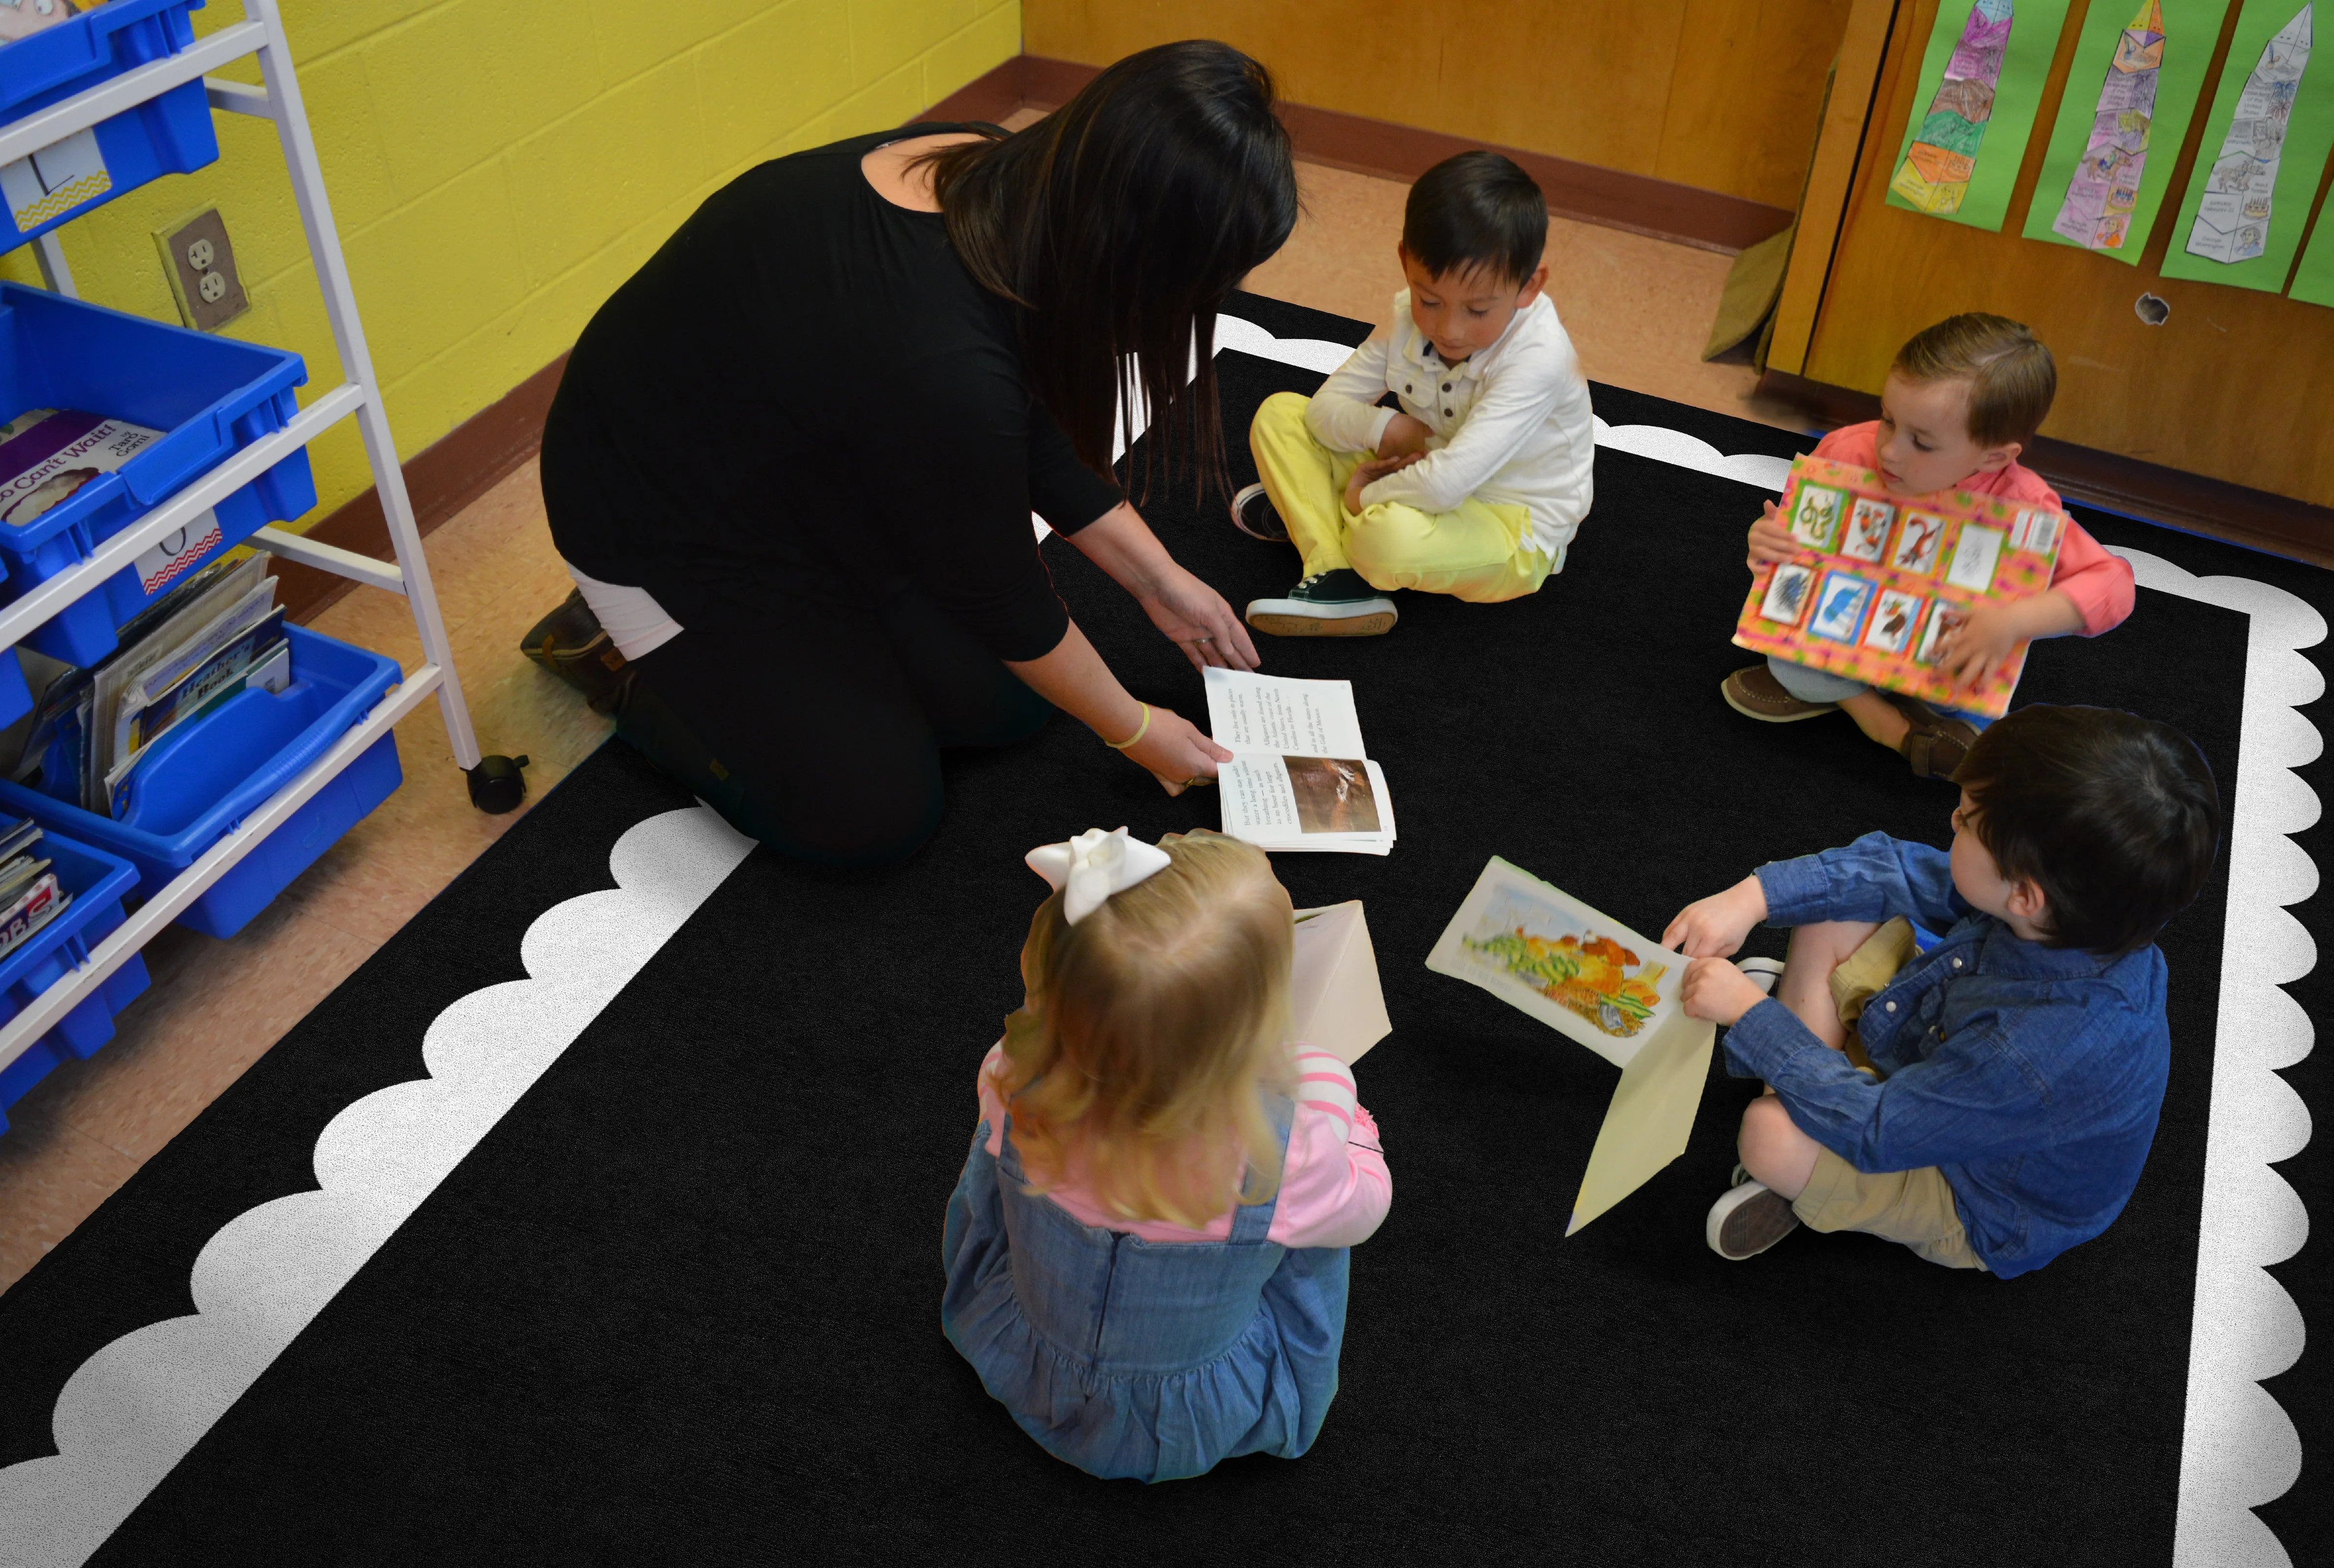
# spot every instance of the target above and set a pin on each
(216, 636)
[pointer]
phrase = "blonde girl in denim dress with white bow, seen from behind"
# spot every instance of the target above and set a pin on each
(1147, 1249)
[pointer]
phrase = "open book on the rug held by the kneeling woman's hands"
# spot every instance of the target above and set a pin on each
(1299, 778)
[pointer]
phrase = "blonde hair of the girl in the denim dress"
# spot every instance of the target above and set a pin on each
(1149, 1035)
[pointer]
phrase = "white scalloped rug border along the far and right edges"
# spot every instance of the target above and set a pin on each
(2237, 1448)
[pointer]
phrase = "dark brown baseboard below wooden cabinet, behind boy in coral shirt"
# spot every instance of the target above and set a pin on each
(2190, 503)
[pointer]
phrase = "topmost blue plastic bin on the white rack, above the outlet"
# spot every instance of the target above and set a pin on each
(162, 136)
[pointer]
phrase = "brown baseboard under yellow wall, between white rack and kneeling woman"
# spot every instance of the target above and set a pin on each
(442, 479)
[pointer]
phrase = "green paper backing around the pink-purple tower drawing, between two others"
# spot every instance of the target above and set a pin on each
(2190, 34)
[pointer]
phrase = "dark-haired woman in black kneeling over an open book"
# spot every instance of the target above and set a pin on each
(792, 461)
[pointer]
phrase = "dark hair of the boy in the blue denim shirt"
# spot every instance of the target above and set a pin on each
(2116, 818)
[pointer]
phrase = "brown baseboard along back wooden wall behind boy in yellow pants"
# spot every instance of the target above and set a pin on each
(1586, 192)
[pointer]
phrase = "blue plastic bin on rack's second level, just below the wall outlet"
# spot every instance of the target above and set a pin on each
(209, 395)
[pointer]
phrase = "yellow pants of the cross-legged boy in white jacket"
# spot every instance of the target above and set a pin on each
(1474, 552)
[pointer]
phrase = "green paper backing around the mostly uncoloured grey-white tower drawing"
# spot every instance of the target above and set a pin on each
(2309, 136)
